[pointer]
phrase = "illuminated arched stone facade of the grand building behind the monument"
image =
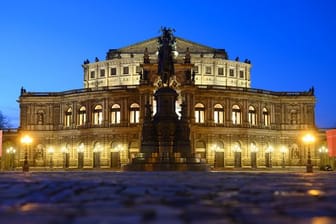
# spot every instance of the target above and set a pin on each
(231, 124)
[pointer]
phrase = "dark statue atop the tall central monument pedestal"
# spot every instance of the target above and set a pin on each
(167, 44)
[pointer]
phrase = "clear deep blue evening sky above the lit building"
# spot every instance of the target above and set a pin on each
(291, 44)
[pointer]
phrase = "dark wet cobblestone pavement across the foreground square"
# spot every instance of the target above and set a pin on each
(168, 197)
